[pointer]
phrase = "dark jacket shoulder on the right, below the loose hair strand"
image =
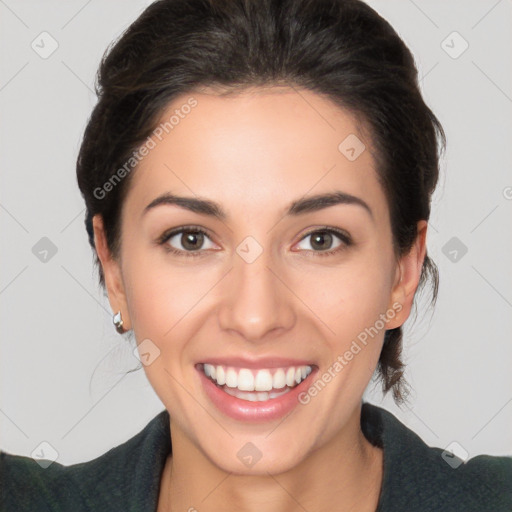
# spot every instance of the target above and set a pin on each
(422, 478)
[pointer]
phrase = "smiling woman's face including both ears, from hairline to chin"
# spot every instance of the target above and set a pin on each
(264, 284)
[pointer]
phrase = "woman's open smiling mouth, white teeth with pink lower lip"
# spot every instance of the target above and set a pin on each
(255, 394)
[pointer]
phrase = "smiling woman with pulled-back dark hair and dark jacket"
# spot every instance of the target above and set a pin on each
(258, 176)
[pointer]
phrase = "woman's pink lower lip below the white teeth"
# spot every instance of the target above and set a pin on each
(243, 410)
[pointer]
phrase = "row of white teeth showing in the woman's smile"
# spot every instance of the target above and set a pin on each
(260, 382)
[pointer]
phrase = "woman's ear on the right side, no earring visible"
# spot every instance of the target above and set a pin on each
(407, 277)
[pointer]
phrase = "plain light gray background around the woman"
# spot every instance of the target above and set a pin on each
(63, 366)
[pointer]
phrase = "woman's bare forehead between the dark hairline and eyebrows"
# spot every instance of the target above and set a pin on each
(261, 148)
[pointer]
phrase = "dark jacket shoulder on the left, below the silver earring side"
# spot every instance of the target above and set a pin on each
(117, 480)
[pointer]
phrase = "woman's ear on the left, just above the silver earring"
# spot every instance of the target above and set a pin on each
(111, 271)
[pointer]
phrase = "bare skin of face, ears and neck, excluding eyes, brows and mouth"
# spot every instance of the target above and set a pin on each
(254, 153)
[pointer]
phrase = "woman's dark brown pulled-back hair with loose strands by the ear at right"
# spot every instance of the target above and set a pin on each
(341, 49)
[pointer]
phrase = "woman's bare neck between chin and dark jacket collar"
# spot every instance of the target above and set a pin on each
(347, 471)
